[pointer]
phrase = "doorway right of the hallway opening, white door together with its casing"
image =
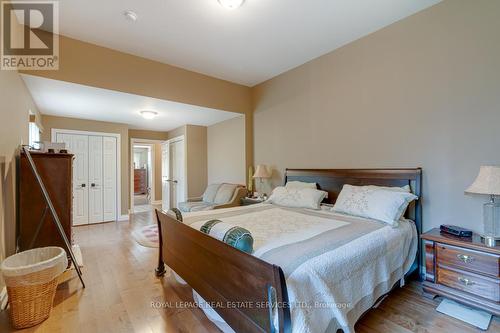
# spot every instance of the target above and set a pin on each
(173, 173)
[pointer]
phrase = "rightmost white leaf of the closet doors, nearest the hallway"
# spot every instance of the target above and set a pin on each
(109, 178)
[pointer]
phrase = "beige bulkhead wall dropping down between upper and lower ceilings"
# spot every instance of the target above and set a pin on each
(97, 66)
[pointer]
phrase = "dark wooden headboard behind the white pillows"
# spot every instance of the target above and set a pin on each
(332, 181)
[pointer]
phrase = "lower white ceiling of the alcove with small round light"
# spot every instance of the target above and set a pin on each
(72, 100)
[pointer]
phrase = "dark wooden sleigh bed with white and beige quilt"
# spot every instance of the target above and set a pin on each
(297, 275)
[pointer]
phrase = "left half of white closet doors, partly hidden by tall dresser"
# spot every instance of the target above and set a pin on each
(78, 145)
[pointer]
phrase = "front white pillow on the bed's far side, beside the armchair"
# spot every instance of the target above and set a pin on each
(297, 197)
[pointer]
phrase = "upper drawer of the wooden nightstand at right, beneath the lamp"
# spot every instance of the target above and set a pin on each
(470, 260)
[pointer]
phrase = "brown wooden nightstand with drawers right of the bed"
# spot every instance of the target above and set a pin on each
(462, 269)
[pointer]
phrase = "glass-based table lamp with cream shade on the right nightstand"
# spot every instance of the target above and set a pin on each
(488, 182)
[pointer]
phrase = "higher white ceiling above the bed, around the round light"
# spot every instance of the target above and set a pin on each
(249, 45)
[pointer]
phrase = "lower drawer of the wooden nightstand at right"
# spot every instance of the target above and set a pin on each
(471, 283)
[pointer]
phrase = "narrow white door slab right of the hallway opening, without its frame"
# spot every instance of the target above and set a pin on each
(177, 174)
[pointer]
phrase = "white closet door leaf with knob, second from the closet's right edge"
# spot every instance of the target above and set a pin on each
(95, 180)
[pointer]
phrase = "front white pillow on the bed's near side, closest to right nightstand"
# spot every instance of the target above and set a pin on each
(386, 205)
